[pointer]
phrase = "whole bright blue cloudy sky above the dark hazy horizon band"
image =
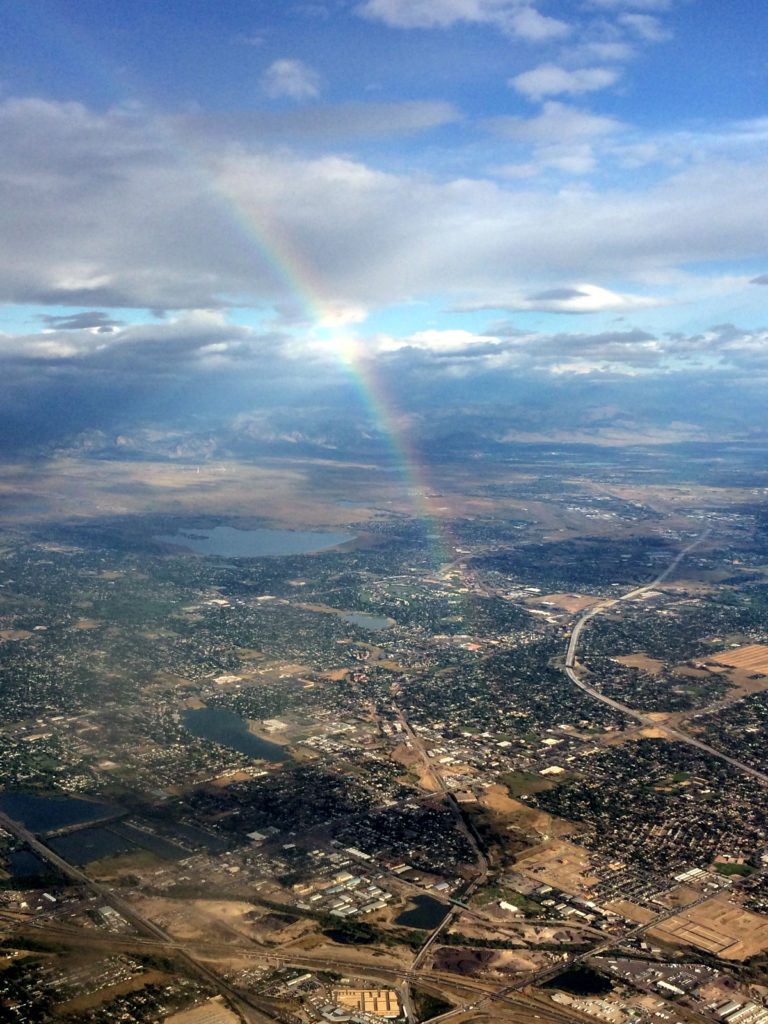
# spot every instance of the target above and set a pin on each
(459, 188)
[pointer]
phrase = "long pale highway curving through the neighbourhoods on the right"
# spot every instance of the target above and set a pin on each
(570, 668)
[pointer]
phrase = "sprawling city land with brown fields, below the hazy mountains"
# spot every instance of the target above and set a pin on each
(402, 787)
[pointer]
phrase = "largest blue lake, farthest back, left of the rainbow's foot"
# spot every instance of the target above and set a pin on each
(228, 542)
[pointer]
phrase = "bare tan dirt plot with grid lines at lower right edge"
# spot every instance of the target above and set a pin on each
(719, 927)
